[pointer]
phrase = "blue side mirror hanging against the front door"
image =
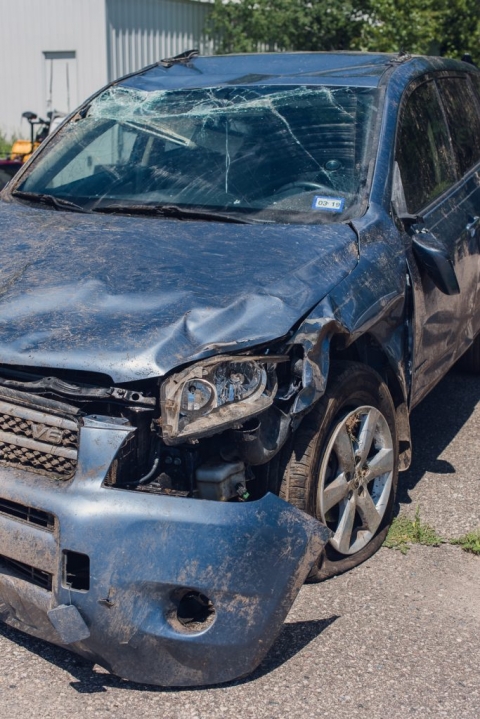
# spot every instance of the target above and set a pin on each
(433, 256)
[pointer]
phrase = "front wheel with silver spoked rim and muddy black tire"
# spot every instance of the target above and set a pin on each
(331, 467)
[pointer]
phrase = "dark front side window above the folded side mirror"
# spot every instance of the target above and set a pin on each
(423, 148)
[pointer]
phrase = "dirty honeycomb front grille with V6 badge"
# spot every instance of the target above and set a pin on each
(37, 441)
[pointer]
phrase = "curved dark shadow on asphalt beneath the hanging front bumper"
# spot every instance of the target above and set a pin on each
(292, 639)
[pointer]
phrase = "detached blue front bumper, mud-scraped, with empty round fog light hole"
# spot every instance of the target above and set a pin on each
(249, 559)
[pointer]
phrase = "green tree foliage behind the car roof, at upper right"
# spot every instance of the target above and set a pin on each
(436, 27)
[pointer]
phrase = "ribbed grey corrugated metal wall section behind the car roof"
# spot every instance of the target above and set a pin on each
(142, 32)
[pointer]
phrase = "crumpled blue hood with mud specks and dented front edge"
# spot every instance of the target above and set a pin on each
(134, 297)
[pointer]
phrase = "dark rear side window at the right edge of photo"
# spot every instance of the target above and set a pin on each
(463, 120)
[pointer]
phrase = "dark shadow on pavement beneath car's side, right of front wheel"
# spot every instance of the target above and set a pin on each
(434, 424)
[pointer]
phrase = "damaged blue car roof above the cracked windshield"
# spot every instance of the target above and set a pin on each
(359, 69)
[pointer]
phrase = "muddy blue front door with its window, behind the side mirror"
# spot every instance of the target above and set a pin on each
(434, 192)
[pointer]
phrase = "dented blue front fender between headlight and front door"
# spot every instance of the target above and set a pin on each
(371, 299)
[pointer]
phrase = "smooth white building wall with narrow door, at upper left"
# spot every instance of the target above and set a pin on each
(32, 32)
